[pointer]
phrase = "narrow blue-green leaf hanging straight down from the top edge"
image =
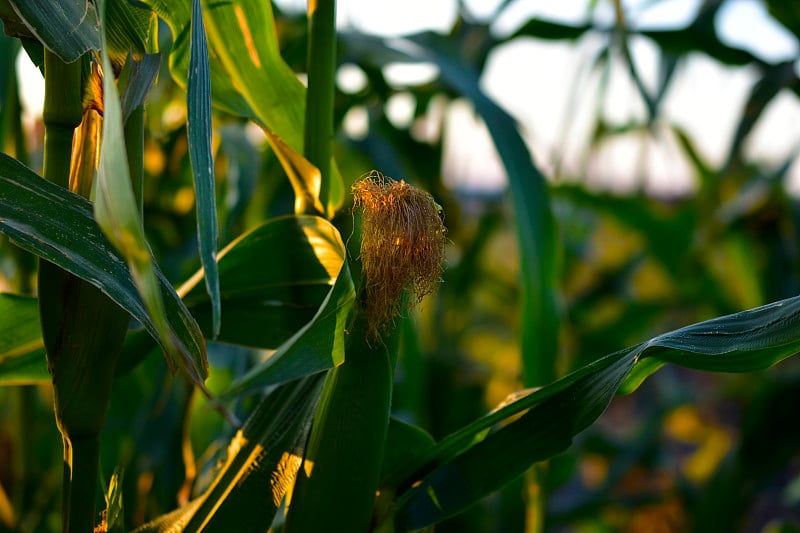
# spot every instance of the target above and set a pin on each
(199, 134)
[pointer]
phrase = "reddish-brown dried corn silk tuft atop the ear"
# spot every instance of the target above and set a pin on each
(402, 245)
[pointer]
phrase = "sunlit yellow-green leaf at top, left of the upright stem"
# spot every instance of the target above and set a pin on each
(250, 78)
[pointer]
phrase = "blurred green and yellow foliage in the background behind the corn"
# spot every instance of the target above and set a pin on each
(688, 450)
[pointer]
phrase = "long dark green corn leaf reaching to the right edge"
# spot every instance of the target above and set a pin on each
(483, 456)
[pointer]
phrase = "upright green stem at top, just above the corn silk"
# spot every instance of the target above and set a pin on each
(318, 132)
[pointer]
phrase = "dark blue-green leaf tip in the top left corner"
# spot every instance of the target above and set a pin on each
(66, 27)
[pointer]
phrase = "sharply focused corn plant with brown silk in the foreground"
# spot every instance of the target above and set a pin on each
(319, 448)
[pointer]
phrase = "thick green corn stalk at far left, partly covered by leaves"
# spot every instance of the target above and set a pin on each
(80, 359)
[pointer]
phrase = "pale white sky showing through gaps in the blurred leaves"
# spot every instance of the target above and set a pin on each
(555, 110)
